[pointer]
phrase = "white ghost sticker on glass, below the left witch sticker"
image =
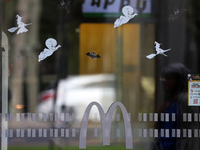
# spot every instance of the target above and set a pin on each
(51, 47)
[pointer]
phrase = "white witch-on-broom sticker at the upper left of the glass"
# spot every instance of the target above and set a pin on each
(21, 26)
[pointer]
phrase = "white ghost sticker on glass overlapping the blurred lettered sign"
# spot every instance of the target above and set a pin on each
(128, 14)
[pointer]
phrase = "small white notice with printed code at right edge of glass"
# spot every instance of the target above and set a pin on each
(193, 90)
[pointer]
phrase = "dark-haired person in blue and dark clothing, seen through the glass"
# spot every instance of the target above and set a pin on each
(175, 86)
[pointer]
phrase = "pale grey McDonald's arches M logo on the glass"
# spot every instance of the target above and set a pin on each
(106, 120)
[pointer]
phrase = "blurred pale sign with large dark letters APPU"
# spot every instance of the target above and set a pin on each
(113, 8)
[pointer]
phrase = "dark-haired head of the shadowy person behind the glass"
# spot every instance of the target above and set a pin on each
(174, 78)
